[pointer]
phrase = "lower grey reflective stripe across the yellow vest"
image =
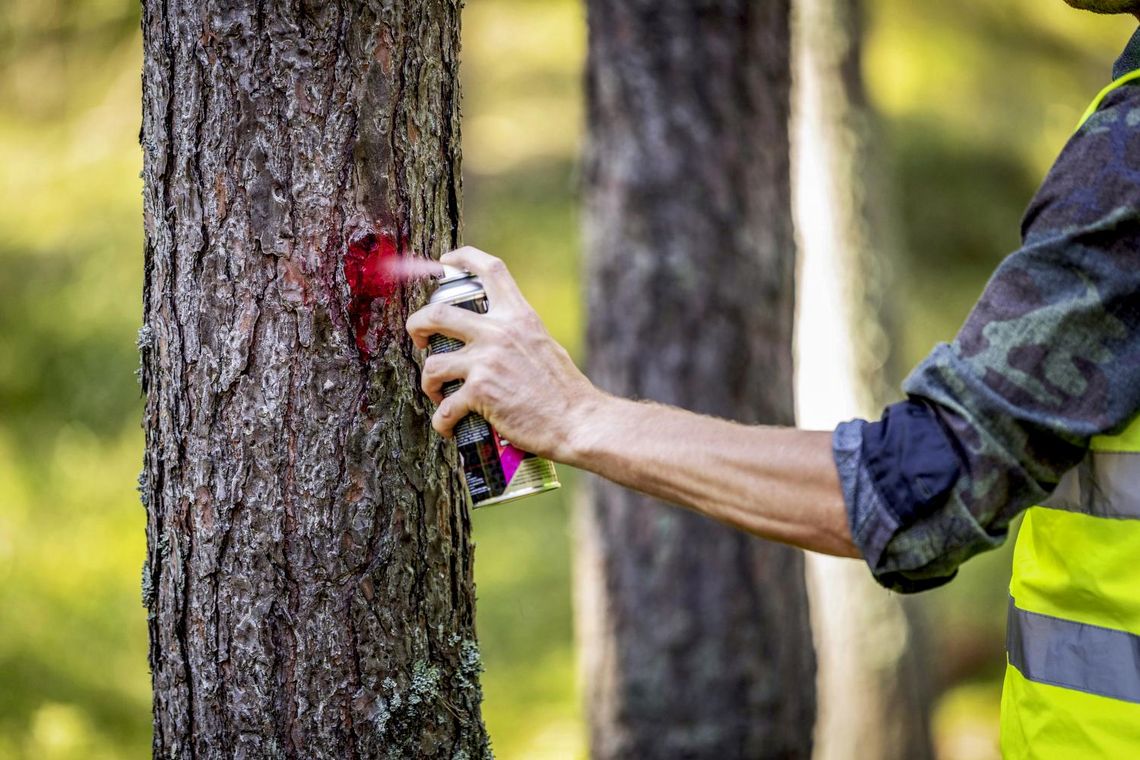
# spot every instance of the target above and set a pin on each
(1074, 656)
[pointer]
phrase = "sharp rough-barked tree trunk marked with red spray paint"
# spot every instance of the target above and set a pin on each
(308, 577)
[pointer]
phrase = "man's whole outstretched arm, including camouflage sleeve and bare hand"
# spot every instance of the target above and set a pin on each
(1049, 358)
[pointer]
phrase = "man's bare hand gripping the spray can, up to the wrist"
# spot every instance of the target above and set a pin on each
(516, 375)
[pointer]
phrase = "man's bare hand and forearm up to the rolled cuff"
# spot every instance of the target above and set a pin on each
(778, 484)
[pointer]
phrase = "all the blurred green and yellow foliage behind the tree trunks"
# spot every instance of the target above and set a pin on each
(975, 100)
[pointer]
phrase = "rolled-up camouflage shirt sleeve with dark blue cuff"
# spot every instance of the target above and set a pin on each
(1048, 358)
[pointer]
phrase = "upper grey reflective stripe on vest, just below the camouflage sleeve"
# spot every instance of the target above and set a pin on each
(1105, 485)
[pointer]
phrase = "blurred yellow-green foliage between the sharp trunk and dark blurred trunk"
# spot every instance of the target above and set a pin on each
(522, 127)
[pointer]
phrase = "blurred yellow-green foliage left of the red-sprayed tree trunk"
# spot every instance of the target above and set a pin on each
(74, 680)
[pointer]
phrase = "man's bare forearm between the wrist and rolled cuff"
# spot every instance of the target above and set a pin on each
(777, 484)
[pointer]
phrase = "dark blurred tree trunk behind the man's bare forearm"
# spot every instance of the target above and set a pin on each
(696, 636)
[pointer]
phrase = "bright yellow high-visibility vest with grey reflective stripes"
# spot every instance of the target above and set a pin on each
(1073, 677)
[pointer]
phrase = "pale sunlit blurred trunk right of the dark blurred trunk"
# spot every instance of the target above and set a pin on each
(873, 694)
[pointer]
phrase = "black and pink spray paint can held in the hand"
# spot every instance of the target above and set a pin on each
(495, 471)
